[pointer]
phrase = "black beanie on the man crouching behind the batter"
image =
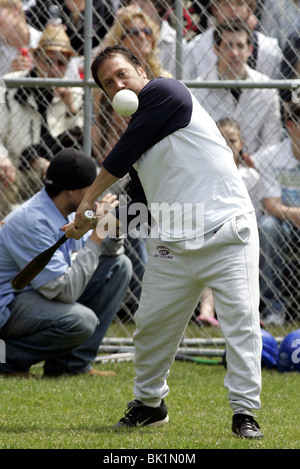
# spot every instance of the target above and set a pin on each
(70, 169)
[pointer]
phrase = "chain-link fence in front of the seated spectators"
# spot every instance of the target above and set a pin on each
(241, 59)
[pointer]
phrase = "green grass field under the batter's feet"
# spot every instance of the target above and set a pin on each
(77, 412)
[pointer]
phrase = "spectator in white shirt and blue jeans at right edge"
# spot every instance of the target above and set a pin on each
(280, 229)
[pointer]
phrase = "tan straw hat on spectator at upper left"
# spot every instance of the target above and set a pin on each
(55, 38)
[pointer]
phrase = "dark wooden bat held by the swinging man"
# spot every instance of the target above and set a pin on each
(39, 262)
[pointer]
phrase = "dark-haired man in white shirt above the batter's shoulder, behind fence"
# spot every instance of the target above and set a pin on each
(256, 110)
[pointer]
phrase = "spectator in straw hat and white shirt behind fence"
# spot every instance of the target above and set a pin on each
(30, 116)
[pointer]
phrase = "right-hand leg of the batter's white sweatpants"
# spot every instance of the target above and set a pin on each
(236, 294)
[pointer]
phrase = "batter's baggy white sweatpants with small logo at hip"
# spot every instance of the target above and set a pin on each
(173, 282)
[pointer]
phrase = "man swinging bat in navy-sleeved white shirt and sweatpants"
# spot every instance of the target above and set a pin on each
(177, 156)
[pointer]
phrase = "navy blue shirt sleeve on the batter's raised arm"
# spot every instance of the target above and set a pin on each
(165, 105)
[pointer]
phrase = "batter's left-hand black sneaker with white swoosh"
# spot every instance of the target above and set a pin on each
(140, 415)
